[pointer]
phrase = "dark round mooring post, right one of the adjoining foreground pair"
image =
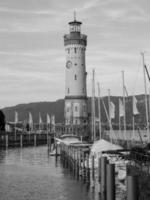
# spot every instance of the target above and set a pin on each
(110, 182)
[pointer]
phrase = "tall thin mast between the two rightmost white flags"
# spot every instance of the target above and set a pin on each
(124, 106)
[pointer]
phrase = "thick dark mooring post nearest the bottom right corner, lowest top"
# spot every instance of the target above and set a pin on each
(132, 187)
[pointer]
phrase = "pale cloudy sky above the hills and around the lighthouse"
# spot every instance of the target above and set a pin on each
(32, 56)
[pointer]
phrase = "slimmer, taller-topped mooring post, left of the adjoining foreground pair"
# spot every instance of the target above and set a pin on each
(103, 177)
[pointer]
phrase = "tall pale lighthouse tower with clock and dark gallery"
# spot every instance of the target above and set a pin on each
(75, 71)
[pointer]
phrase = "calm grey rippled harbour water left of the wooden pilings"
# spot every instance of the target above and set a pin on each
(30, 174)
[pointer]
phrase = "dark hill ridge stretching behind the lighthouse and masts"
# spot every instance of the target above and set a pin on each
(57, 108)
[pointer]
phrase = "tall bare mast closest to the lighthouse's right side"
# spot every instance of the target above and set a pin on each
(93, 105)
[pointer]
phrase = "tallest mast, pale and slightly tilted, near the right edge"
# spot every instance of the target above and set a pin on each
(145, 88)
